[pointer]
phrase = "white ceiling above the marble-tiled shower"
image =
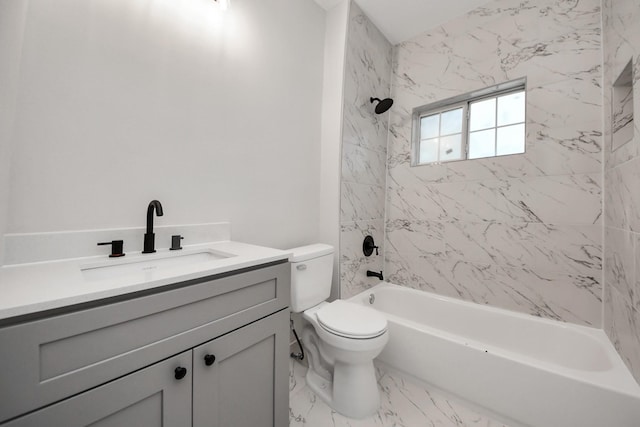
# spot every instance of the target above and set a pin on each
(400, 20)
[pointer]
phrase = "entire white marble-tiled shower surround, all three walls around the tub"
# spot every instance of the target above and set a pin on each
(522, 232)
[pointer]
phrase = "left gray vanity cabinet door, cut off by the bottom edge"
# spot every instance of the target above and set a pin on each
(150, 397)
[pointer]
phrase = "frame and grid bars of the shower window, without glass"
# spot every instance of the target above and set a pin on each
(464, 101)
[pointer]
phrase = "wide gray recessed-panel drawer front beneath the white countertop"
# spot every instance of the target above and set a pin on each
(52, 358)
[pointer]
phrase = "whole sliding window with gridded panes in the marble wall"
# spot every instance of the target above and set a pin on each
(486, 123)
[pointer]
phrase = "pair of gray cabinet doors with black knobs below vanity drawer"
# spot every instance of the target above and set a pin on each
(237, 380)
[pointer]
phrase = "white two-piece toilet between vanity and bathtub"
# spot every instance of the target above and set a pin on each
(342, 339)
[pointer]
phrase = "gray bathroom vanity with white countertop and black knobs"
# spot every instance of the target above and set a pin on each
(204, 344)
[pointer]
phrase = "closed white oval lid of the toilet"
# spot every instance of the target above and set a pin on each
(351, 320)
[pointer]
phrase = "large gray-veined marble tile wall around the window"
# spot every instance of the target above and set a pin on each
(523, 232)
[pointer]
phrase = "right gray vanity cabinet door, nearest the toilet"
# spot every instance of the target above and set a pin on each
(247, 384)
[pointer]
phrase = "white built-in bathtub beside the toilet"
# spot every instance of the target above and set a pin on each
(538, 372)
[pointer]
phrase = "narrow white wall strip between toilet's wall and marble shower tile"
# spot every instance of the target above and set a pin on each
(330, 151)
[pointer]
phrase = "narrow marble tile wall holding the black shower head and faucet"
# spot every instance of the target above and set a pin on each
(364, 151)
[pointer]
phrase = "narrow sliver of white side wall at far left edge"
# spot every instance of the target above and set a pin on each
(12, 15)
